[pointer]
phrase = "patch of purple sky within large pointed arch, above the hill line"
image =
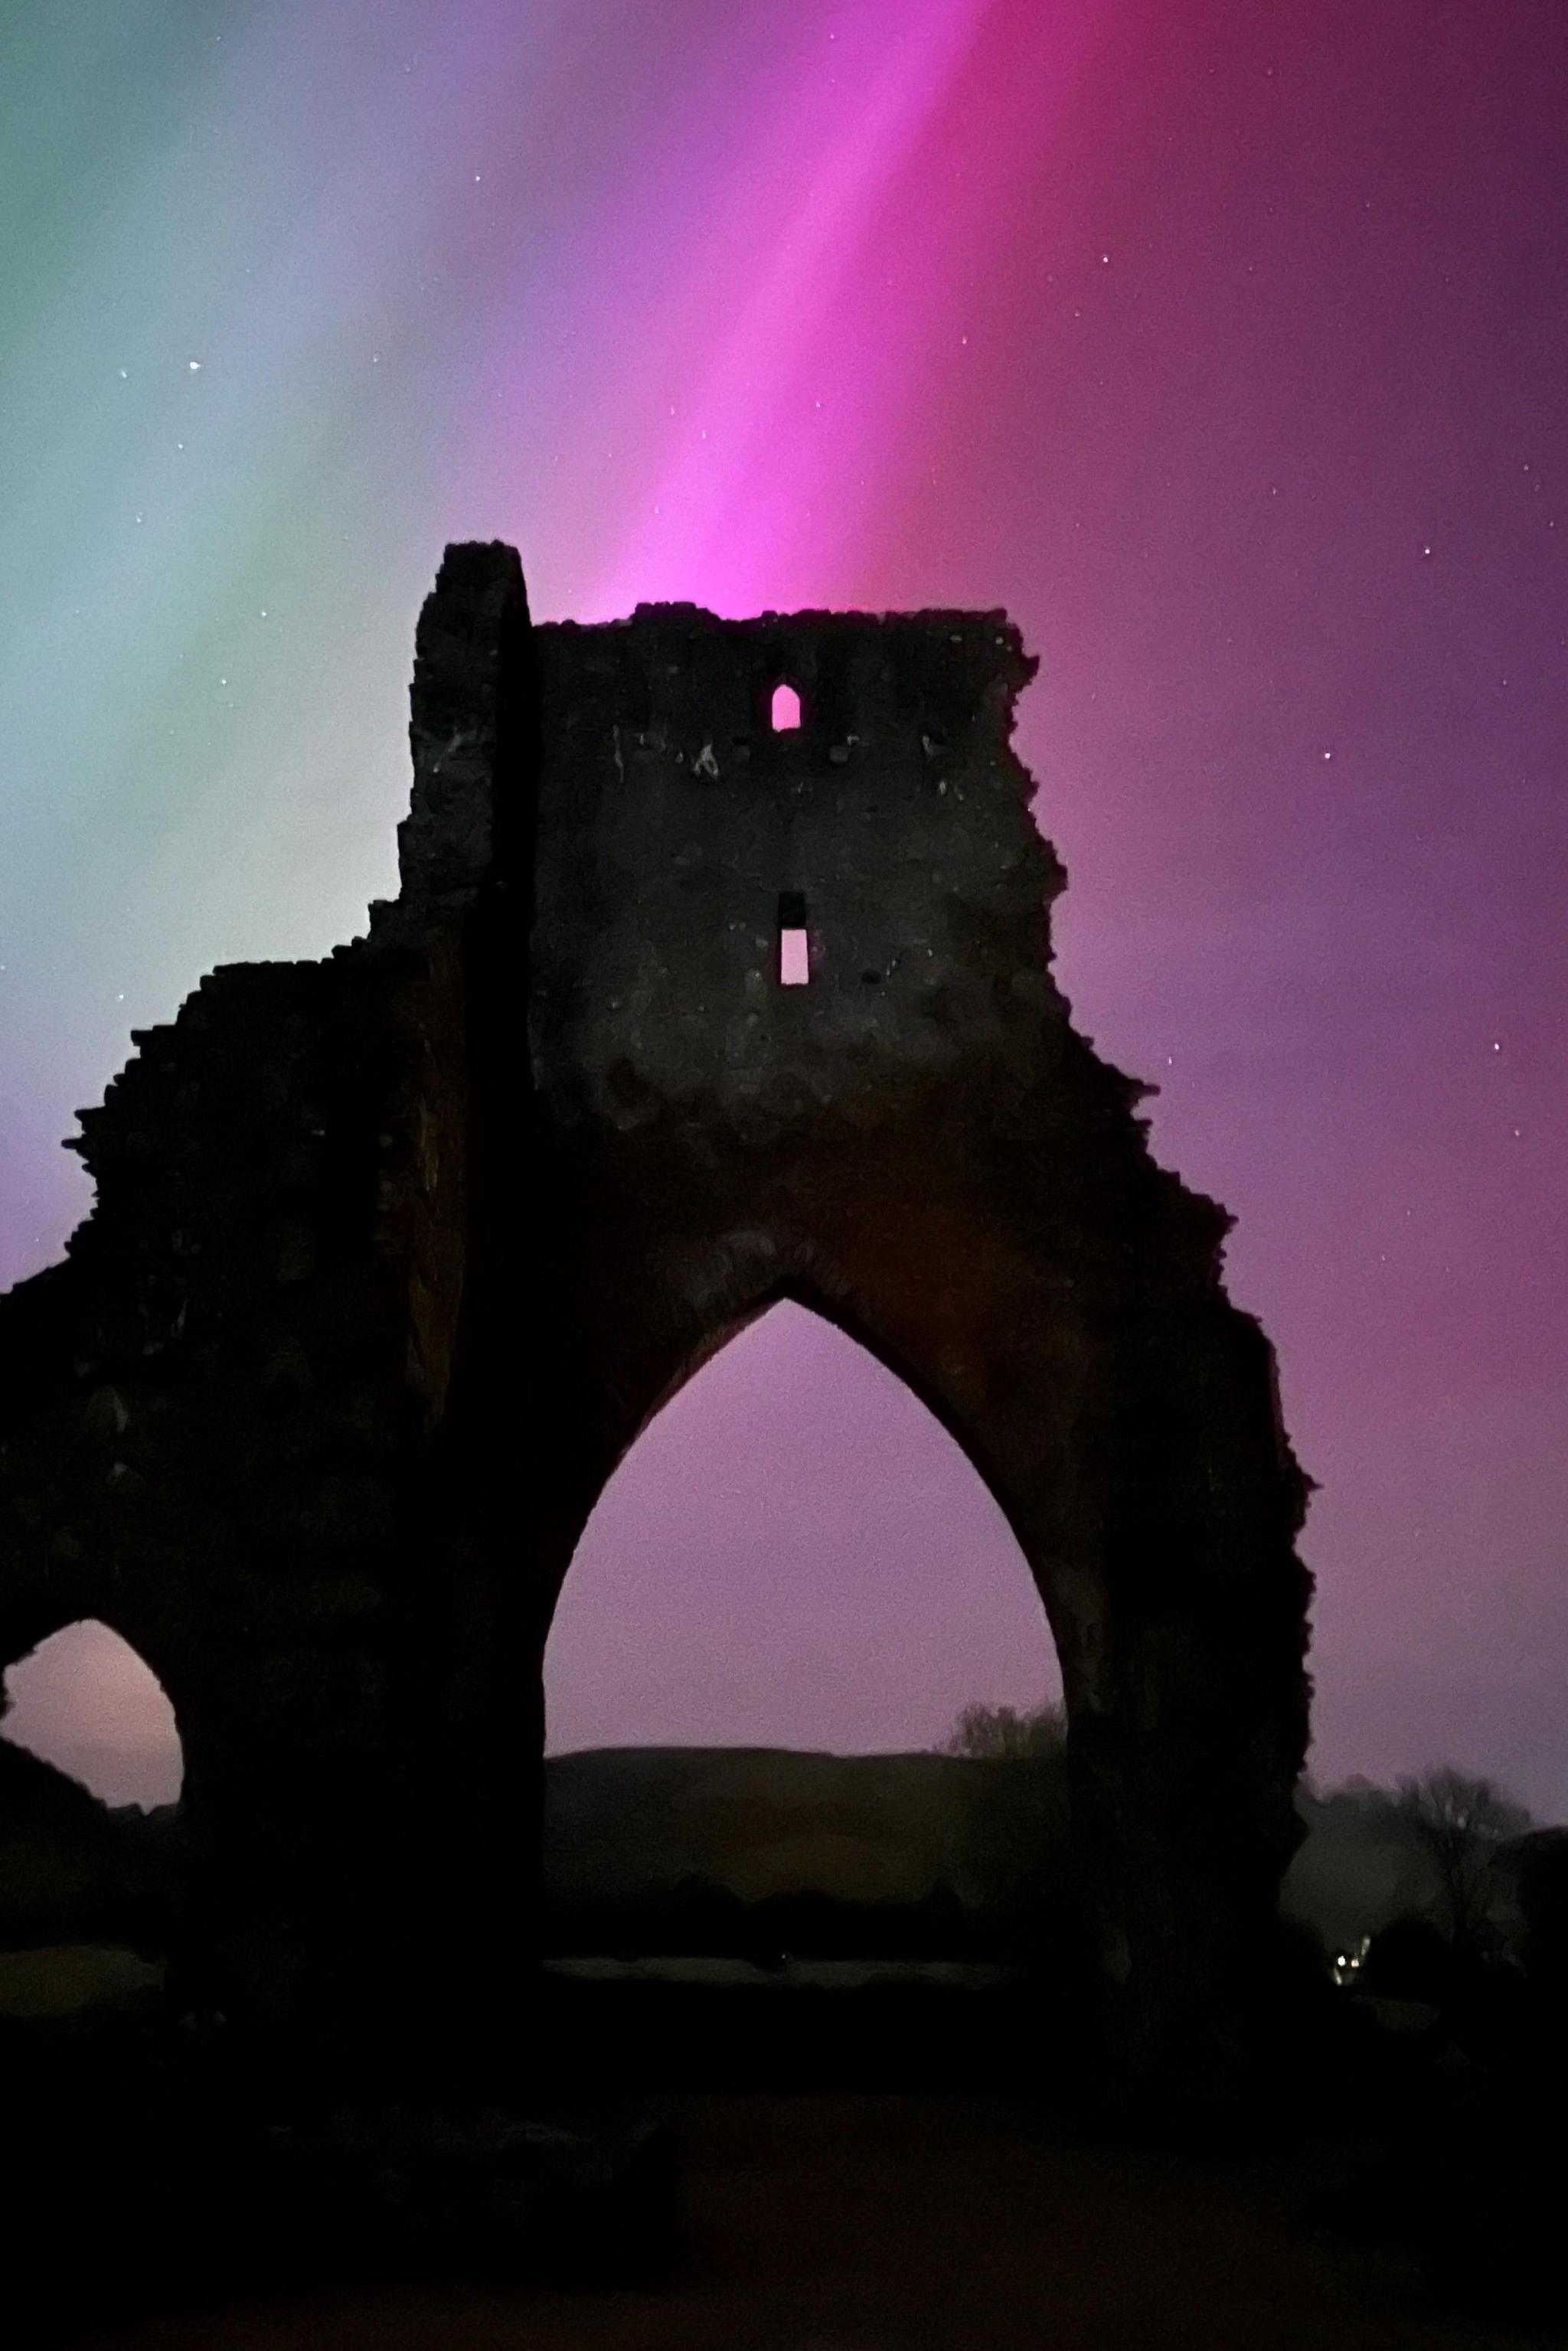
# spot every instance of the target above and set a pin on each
(756, 1463)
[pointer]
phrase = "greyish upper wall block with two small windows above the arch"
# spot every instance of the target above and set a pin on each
(674, 822)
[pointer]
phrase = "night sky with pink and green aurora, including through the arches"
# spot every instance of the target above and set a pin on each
(1224, 344)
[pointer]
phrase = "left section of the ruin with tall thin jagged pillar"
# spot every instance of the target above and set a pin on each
(220, 1416)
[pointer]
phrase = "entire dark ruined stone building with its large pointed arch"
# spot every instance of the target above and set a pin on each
(396, 1254)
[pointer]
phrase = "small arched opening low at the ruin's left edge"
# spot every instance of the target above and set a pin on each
(86, 1703)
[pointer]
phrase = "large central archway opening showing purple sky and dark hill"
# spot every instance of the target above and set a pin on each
(786, 1600)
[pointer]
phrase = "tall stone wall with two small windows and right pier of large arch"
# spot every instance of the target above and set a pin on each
(923, 1148)
